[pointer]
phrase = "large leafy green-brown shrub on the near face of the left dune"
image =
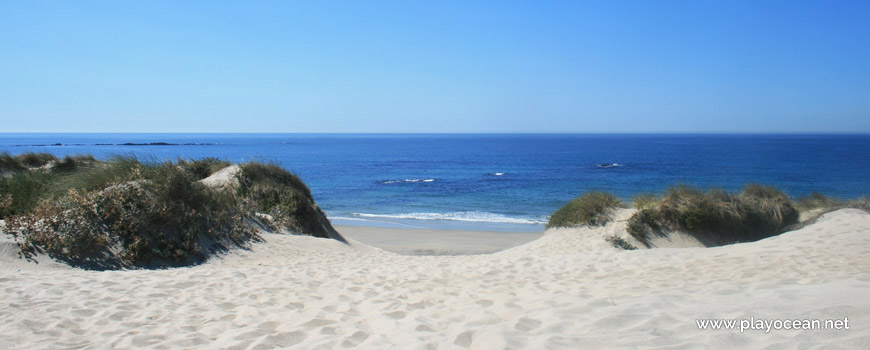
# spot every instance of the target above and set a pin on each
(164, 217)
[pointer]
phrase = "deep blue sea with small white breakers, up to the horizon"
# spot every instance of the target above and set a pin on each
(508, 182)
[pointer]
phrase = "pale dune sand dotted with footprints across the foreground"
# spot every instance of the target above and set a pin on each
(566, 290)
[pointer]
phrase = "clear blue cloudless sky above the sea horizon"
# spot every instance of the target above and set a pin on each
(434, 66)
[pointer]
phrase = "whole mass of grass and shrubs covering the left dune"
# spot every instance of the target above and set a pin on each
(128, 213)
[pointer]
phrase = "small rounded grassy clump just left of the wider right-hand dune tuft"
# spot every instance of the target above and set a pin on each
(590, 209)
